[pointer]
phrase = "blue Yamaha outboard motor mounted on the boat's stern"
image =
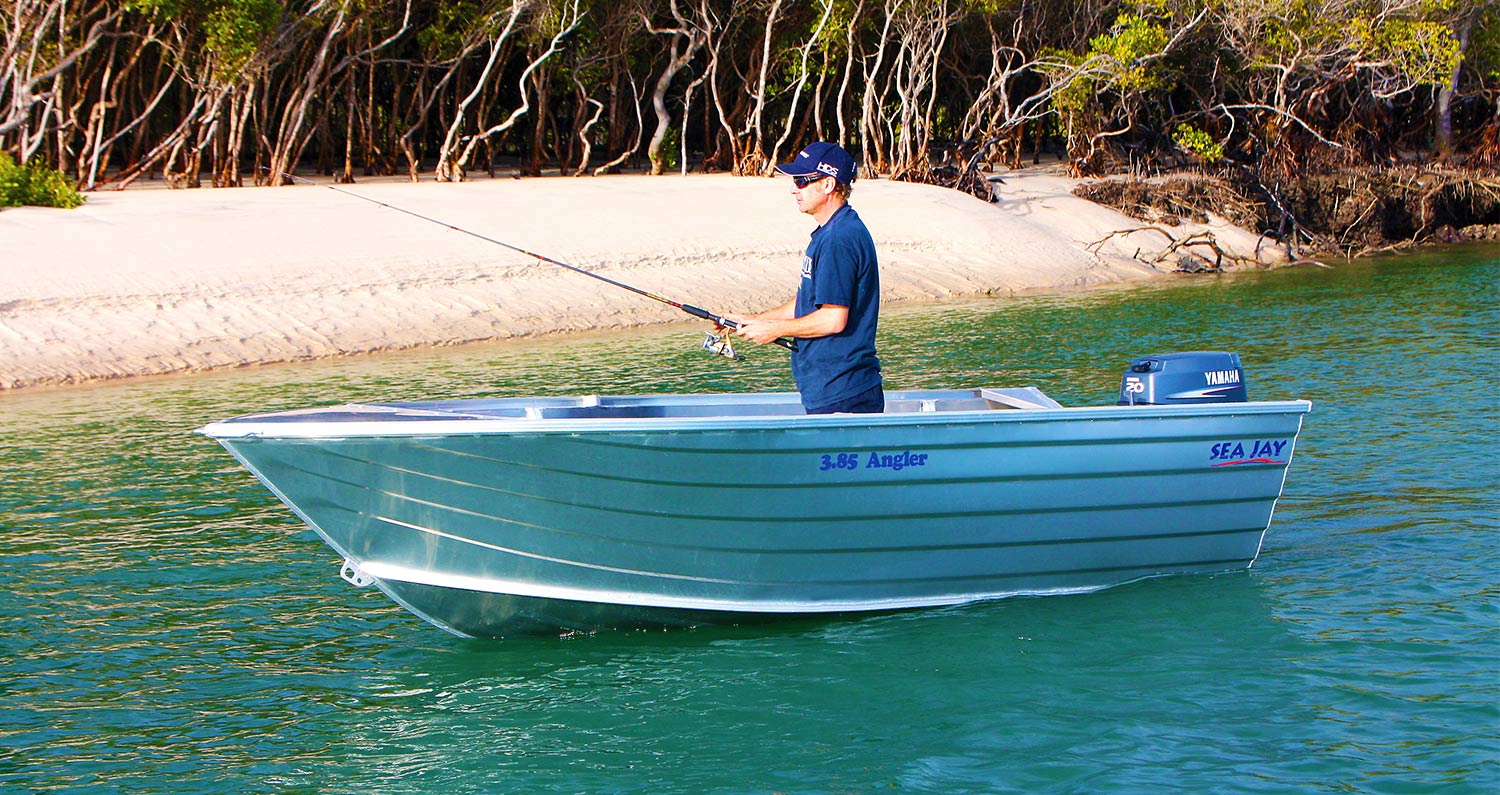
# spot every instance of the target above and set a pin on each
(1198, 377)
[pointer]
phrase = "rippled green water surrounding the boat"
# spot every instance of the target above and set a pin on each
(169, 628)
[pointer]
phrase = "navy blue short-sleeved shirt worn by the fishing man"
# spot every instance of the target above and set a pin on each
(839, 269)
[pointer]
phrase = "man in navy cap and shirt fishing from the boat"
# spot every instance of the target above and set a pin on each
(838, 305)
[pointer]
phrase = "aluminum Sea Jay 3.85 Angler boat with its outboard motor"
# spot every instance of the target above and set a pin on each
(518, 517)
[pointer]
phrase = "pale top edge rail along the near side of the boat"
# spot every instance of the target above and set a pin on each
(472, 425)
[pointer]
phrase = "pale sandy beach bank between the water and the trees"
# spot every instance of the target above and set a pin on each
(154, 281)
